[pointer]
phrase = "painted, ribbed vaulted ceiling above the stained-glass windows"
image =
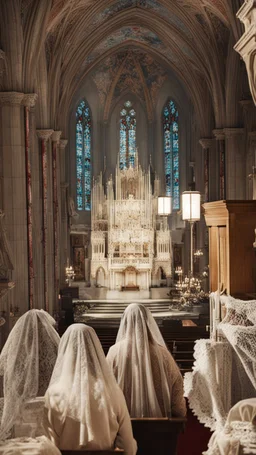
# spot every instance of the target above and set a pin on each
(134, 43)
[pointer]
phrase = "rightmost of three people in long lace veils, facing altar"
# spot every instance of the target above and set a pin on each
(144, 368)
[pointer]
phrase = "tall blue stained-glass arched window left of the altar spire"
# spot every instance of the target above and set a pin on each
(83, 156)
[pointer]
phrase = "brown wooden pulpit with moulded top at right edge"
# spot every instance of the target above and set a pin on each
(232, 257)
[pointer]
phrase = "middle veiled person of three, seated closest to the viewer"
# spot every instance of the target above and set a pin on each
(84, 407)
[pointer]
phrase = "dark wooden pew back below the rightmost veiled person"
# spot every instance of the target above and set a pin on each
(157, 436)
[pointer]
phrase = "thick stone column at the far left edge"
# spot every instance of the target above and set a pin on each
(13, 192)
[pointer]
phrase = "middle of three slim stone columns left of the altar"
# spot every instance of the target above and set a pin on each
(56, 225)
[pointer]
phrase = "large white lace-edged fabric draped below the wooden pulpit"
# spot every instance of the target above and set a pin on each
(224, 372)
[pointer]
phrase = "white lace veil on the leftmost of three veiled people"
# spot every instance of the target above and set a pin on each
(26, 363)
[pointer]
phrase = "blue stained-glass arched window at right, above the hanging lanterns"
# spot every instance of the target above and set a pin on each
(171, 153)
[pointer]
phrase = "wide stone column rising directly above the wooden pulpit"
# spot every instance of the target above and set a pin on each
(235, 163)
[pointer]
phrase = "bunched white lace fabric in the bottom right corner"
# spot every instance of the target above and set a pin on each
(238, 436)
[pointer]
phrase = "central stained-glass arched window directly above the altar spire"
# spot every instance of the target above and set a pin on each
(127, 136)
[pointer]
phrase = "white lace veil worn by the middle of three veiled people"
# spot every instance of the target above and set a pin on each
(82, 386)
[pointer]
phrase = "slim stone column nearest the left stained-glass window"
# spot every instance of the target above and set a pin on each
(64, 252)
